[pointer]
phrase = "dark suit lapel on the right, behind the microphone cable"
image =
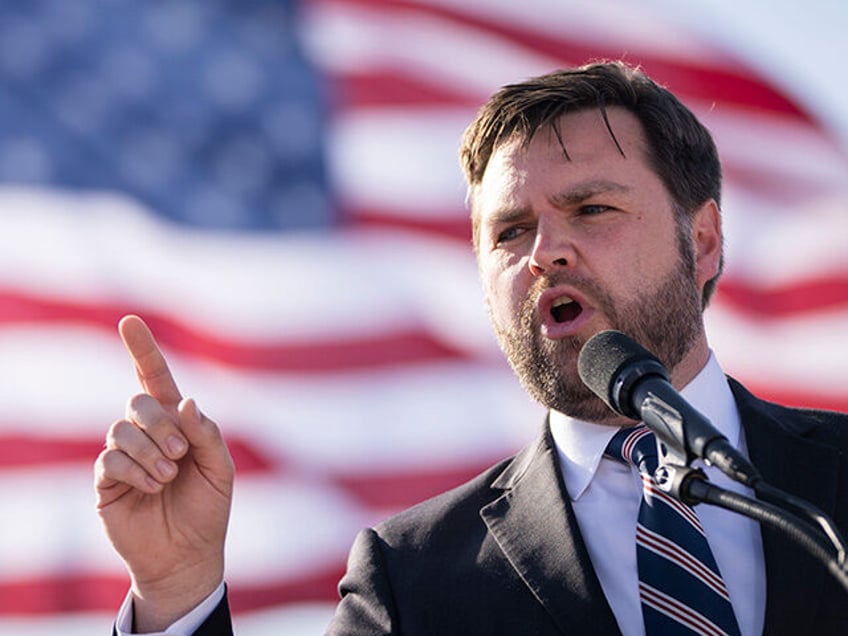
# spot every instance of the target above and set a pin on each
(793, 579)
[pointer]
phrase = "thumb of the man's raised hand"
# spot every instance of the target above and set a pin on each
(208, 448)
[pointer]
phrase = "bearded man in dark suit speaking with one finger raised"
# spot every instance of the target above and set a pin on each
(595, 205)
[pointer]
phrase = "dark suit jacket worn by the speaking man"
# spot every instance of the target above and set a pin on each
(502, 554)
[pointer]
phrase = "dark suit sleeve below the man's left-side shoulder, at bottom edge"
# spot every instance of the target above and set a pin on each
(366, 605)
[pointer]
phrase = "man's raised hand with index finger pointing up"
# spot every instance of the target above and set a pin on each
(164, 485)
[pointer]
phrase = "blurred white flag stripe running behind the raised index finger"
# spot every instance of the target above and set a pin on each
(396, 418)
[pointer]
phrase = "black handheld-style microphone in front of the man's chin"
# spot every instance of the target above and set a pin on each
(634, 383)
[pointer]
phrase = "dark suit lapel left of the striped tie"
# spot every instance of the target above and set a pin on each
(535, 527)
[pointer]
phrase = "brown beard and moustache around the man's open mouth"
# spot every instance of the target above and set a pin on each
(666, 320)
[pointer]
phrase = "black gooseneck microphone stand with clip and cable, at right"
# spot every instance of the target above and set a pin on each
(691, 486)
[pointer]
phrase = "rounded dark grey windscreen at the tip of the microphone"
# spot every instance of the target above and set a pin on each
(602, 362)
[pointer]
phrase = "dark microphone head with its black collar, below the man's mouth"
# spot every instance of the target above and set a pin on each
(610, 364)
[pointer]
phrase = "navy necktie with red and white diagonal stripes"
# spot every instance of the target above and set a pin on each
(680, 587)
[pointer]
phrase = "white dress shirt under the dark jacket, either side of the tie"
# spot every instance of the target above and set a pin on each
(605, 495)
